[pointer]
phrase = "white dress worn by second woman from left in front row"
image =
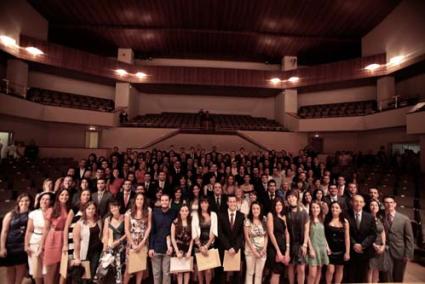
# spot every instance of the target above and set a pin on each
(38, 221)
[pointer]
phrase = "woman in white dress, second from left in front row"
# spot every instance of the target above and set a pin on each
(34, 234)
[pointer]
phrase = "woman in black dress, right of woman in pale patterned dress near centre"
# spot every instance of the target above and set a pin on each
(278, 248)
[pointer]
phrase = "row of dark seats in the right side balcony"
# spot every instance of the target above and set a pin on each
(340, 109)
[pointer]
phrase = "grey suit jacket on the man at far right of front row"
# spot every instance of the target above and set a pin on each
(400, 236)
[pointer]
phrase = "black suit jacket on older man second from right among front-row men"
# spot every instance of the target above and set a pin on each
(365, 235)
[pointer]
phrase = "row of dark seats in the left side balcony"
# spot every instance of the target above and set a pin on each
(49, 97)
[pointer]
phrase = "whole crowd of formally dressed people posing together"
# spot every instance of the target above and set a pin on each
(282, 216)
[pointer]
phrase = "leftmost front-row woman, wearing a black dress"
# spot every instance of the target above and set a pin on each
(12, 240)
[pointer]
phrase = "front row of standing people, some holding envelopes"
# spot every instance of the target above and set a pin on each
(287, 238)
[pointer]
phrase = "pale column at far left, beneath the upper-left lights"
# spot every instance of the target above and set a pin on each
(17, 76)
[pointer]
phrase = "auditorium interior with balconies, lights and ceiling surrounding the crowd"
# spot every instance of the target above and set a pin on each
(344, 80)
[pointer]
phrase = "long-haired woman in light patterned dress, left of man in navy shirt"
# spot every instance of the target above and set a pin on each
(137, 229)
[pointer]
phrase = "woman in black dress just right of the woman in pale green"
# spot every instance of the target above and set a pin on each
(337, 232)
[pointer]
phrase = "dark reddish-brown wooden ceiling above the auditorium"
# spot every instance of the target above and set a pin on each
(262, 30)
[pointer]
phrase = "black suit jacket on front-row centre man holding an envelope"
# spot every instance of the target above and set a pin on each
(230, 237)
